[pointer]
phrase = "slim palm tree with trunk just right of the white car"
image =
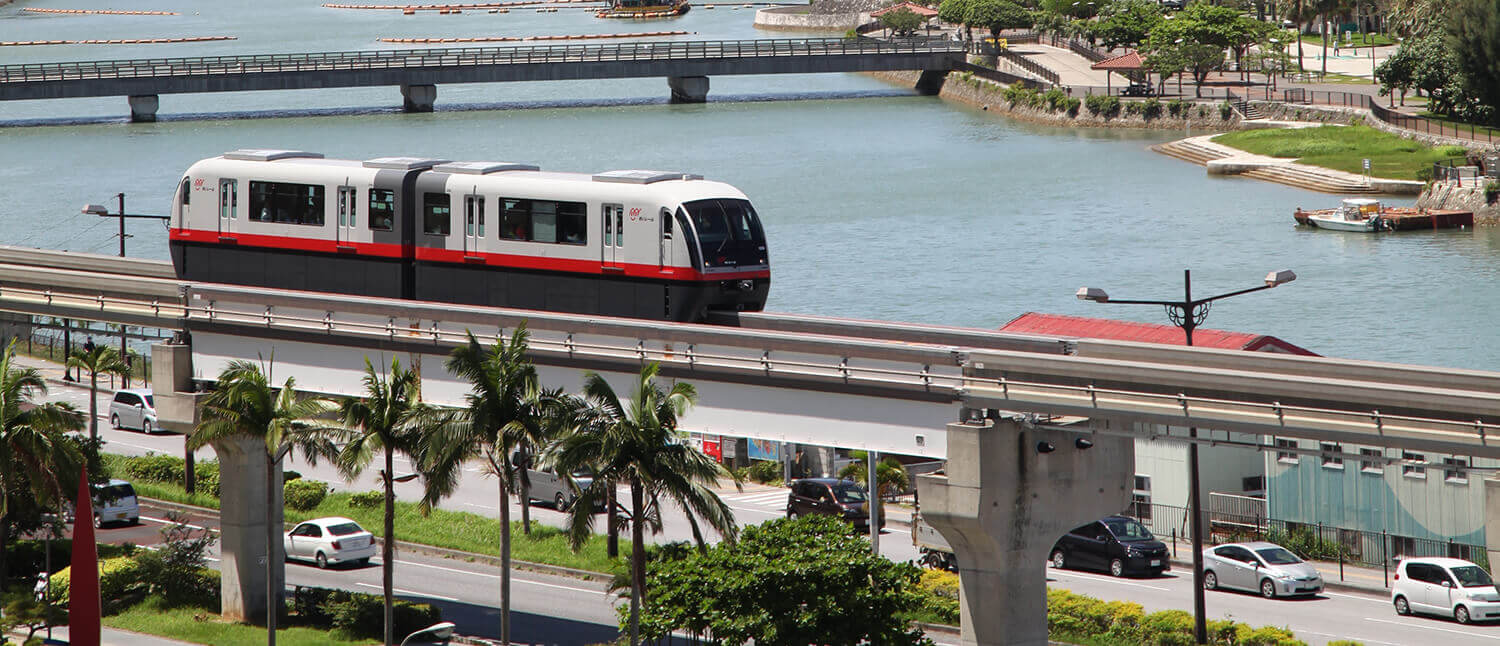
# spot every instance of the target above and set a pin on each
(383, 422)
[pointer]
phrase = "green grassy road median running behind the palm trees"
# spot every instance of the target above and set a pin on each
(454, 530)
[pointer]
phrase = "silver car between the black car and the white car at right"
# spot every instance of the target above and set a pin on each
(1259, 567)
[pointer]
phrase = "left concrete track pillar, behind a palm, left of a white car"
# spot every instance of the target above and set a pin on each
(242, 539)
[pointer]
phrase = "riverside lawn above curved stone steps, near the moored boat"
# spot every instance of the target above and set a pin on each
(1343, 148)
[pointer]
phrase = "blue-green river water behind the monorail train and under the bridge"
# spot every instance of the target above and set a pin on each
(878, 203)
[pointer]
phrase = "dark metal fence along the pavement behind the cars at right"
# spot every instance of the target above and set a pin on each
(1315, 542)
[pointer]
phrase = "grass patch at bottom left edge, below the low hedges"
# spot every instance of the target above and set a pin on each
(205, 627)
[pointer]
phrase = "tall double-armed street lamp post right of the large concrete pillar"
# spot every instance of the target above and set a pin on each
(1189, 314)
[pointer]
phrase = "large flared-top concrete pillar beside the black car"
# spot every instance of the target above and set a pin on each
(1003, 504)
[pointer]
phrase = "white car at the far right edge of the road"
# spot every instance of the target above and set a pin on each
(1451, 588)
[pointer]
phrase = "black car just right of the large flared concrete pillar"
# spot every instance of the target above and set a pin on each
(1117, 545)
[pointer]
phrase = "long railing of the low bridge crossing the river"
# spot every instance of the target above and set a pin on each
(470, 56)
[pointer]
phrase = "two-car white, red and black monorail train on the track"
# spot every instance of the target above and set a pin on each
(622, 244)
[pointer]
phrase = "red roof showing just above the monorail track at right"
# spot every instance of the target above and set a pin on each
(1085, 327)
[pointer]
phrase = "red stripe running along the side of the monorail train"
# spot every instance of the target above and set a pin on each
(458, 257)
